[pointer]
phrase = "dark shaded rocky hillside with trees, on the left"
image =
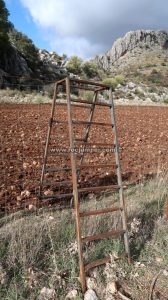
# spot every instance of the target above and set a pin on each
(19, 57)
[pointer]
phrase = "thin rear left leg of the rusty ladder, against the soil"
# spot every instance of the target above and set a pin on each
(48, 136)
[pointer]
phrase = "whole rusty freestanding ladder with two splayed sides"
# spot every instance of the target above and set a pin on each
(75, 168)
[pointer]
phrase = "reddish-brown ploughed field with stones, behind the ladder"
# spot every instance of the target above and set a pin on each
(143, 138)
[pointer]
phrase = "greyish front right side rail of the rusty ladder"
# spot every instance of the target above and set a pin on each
(119, 178)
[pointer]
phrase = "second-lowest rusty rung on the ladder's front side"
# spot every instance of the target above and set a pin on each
(113, 233)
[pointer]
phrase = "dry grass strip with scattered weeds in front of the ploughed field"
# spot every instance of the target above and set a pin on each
(39, 251)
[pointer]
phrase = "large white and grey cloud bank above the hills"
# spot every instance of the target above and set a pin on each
(88, 27)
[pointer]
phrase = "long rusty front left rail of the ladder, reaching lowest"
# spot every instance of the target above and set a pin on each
(75, 189)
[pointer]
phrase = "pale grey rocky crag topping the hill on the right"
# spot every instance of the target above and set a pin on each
(128, 49)
